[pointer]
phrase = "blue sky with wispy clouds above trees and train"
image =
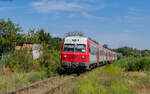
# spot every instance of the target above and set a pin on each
(114, 22)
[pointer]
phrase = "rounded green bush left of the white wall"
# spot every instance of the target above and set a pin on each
(20, 60)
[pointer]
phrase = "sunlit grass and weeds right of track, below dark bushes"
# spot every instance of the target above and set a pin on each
(109, 79)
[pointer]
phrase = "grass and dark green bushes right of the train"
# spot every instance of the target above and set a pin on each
(125, 76)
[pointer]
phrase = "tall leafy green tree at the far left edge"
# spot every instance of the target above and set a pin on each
(8, 33)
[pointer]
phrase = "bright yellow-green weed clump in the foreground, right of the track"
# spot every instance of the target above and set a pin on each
(108, 80)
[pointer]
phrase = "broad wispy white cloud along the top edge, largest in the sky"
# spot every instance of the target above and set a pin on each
(63, 5)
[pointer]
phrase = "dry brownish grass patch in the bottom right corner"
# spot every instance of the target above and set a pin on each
(139, 81)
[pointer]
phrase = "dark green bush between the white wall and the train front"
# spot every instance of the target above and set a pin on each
(50, 62)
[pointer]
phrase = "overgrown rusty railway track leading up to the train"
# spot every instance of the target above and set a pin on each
(41, 86)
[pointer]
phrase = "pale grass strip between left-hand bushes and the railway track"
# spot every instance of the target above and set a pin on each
(15, 81)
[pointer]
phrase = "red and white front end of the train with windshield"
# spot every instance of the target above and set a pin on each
(74, 52)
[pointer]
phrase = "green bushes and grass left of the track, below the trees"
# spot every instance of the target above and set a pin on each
(20, 70)
